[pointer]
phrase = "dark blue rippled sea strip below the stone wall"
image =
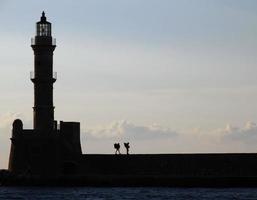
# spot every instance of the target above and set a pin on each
(125, 193)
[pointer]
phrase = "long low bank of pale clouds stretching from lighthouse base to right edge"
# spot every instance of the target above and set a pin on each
(123, 129)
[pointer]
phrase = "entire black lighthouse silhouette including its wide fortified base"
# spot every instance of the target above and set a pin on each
(44, 150)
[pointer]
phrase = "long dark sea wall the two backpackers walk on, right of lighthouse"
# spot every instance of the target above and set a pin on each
(174, 165)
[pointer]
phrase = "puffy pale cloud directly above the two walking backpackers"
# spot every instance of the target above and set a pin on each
(126, 130)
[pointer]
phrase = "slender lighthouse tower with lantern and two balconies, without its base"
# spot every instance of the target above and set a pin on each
(43, 77)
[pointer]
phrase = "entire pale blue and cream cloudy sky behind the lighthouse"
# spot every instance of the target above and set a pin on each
(168, 76)
